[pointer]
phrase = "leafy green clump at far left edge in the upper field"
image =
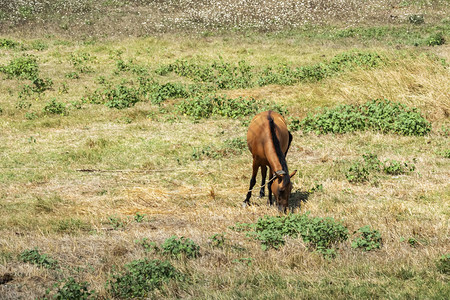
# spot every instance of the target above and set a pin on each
(24, 67)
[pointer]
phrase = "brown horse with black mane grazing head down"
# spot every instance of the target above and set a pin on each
(268, 140)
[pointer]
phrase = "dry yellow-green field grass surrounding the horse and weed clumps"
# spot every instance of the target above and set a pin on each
(145, 162)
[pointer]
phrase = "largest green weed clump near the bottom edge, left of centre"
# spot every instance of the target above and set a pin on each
(140, 277)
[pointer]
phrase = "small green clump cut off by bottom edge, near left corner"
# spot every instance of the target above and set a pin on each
(70, 289)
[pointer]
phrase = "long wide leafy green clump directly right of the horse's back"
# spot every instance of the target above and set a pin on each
(377, 115)
